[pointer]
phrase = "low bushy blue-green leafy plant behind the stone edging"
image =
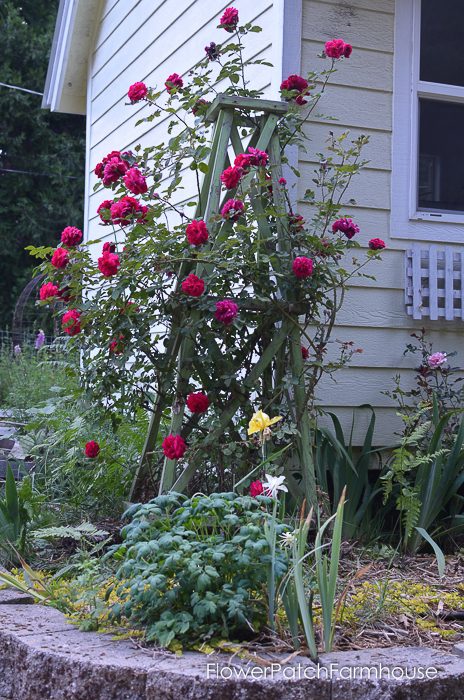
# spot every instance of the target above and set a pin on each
(195, 569)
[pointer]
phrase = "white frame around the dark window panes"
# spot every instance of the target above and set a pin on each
(406, 220)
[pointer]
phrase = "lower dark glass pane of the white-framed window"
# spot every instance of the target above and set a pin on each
(441, 156)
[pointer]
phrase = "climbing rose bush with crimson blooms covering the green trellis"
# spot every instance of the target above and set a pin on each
(226, 279)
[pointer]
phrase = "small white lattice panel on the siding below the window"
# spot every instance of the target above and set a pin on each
(435, 283)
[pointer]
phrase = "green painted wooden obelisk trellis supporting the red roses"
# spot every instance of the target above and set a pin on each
(261, 117)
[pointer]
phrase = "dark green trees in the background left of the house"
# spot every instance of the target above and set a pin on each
(42, 154)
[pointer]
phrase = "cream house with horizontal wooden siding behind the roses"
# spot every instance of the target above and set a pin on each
(403, 86)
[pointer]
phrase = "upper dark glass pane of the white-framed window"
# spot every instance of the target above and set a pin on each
(442, 56)
